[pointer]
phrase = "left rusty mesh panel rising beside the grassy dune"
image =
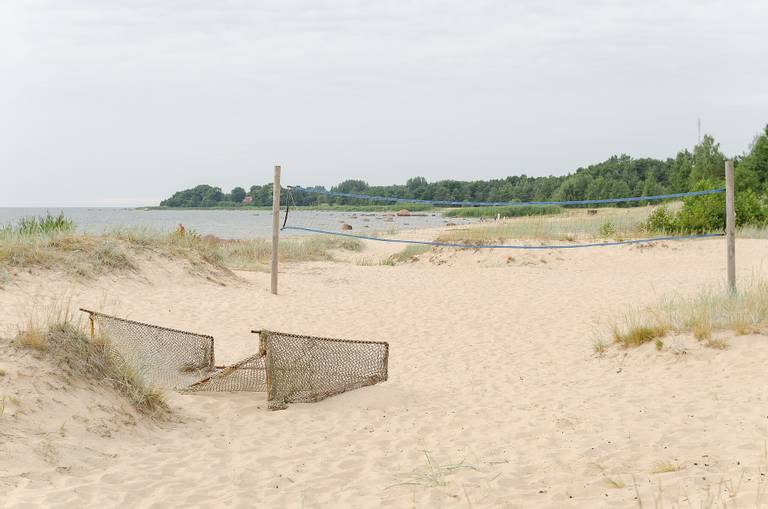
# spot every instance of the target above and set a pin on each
(164, 357)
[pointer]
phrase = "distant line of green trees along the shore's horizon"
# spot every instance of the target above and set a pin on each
(618, 176)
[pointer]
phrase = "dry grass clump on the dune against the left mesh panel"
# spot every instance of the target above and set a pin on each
(68, 345)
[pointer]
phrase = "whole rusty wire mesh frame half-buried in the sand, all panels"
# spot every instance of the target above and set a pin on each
(290, 368)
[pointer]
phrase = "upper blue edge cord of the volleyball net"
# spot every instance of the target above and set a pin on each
(508, 204)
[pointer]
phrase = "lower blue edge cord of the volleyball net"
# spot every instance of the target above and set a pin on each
(508, 246)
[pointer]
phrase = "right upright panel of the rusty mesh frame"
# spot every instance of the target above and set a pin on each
(306, 368)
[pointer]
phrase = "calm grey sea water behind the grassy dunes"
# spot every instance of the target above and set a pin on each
(228, 224)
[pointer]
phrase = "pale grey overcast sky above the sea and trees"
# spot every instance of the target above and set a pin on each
(108, 102)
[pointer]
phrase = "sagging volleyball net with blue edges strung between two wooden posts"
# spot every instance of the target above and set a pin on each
(565, 224)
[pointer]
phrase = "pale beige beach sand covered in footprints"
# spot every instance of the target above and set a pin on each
(491, 371)
